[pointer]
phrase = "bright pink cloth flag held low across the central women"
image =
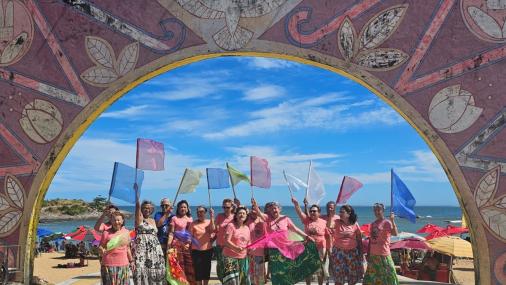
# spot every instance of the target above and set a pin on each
(279, 240)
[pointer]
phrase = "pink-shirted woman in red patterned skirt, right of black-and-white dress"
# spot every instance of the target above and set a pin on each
(179, 229)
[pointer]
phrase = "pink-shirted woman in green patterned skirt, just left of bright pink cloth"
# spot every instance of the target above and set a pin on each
(235, 258)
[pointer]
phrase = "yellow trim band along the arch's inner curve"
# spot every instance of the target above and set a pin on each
(32, 227)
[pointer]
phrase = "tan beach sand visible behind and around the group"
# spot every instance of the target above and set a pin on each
(46, 268)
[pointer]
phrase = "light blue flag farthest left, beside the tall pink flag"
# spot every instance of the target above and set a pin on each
(122, 184)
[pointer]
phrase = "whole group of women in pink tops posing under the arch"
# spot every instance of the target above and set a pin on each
(187, 253)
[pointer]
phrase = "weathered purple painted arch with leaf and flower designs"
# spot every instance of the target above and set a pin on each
(439, 63)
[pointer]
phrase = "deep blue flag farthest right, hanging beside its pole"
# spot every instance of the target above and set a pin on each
(403, 202)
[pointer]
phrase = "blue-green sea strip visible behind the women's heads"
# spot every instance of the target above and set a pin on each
(438, 215)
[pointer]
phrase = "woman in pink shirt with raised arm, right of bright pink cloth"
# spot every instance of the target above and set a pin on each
(315, 227)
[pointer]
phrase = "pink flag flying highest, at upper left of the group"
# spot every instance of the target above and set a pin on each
(150, 155)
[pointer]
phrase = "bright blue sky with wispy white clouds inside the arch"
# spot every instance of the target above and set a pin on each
(226, 109)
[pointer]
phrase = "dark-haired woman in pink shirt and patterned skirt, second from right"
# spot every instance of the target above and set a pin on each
(346, 255)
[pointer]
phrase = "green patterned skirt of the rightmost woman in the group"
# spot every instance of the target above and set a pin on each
(380, 270)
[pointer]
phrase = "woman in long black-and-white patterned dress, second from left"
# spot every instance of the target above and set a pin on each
(148, 255)
